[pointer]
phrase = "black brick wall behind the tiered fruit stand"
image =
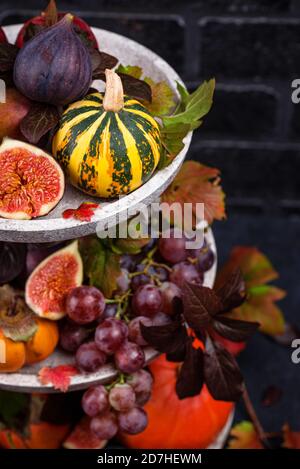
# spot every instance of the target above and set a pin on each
(253, 49)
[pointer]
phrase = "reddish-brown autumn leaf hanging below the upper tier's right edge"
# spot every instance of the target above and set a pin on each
(197, 183)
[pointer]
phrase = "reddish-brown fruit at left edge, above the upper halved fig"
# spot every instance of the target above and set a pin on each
(12, 112)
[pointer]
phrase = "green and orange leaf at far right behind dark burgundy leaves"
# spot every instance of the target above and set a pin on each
(260, 305)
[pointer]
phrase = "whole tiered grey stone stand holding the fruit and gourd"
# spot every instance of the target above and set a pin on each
(53, 228)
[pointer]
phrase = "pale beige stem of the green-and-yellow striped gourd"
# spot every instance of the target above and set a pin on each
(114, 94)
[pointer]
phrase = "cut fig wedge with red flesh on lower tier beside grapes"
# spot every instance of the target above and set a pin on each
(51, 281)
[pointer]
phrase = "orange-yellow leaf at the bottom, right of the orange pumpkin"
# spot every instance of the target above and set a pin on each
(244, 436)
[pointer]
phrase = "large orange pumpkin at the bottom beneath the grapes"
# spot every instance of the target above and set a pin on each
(194, 422)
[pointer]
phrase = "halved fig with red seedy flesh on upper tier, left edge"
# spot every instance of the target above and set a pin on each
(31, 182)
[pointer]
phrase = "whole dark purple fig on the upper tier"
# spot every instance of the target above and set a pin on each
(54, 66)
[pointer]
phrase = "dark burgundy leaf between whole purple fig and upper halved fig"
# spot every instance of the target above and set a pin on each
(40, 118)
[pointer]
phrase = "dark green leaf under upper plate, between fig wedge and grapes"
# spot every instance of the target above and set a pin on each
(101, 265)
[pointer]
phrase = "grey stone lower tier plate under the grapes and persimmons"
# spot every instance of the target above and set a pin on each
(26, 380)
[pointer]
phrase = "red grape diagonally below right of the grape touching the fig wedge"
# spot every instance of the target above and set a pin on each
(110, 334)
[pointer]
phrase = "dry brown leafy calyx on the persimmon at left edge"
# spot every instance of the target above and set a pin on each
(16, 319)
